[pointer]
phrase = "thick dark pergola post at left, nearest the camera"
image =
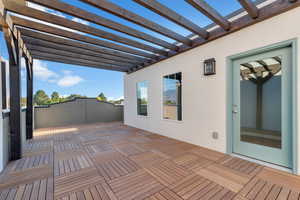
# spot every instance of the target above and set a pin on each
(15, 95)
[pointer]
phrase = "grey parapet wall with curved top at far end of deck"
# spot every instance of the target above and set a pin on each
(77, 111)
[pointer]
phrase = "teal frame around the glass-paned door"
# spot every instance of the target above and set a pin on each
(229, 94)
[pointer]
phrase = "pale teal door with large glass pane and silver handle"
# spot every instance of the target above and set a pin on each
(262, 107)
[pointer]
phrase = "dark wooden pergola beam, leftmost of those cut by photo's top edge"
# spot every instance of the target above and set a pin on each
(91, 17)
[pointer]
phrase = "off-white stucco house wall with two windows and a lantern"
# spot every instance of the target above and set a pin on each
(203, 97)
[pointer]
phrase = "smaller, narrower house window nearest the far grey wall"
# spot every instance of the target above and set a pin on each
(142, 98)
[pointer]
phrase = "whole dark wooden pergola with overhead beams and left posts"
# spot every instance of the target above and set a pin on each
(106, 50)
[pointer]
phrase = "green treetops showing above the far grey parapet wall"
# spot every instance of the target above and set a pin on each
(41, 98)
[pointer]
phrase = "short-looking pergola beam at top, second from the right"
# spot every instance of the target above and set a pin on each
(210, 12)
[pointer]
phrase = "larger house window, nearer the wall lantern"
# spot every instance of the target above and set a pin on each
(172, 97)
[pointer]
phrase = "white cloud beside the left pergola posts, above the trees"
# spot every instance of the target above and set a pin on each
(41, 71)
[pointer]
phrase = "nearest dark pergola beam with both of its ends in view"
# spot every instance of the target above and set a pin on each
(75, 36)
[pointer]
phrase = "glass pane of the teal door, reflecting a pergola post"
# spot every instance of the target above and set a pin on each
(260, 102)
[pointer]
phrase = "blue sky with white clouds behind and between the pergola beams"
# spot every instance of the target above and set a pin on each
(72, 79)
